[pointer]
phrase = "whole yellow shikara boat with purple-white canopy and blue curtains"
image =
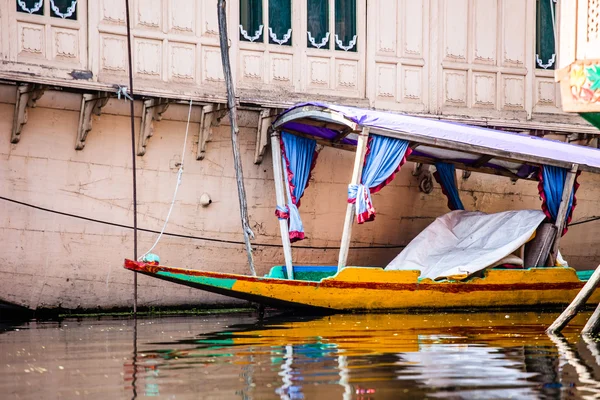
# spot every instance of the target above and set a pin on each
(383, 142)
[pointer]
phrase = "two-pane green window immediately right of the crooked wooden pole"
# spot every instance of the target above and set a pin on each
(252, 23)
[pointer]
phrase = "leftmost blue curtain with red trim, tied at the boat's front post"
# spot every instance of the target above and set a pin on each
(298, 158)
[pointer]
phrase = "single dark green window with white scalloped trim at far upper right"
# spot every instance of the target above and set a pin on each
(545, 46)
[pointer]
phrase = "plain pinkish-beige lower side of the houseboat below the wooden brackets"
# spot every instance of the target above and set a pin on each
(50, 260)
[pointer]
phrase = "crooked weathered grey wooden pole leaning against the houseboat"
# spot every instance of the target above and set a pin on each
(239, 174)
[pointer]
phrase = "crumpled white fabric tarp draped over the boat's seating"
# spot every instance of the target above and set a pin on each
(461, 243)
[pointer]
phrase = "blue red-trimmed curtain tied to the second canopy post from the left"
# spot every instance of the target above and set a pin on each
(384, 157)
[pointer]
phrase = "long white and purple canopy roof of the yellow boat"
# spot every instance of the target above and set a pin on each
(468, 147)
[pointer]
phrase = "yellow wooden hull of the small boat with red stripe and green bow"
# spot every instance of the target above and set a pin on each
(374, 289)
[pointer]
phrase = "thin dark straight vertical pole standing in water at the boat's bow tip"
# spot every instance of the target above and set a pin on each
(133, 153)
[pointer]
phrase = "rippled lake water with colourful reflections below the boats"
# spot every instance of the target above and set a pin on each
(238, 356)
